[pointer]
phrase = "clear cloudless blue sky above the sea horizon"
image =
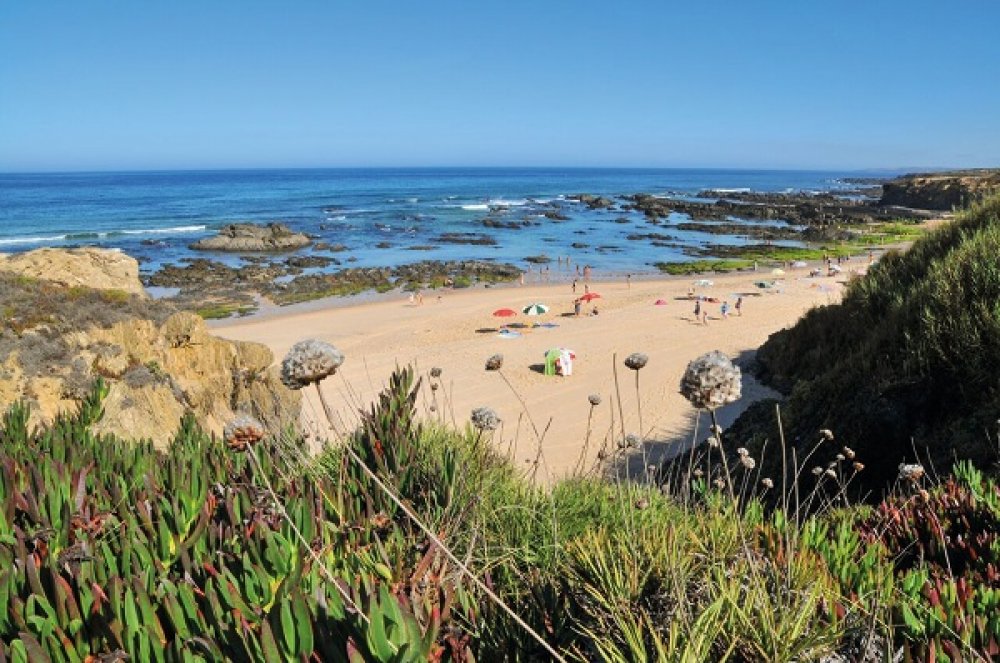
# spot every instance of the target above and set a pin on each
(123, 84)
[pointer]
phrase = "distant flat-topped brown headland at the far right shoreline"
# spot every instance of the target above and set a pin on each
(940, 191)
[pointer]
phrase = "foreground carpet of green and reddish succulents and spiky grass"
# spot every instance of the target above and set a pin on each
(253, 551)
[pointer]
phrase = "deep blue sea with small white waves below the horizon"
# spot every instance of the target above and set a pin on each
(155, 216)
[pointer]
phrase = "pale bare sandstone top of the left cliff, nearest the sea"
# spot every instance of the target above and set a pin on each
(99, 269)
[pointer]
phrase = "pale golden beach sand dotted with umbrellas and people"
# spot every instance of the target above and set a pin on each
(457, 333)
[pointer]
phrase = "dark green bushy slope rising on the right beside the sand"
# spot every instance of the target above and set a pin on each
(907, 363)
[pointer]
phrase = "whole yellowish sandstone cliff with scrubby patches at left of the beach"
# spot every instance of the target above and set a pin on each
(70, 317)
